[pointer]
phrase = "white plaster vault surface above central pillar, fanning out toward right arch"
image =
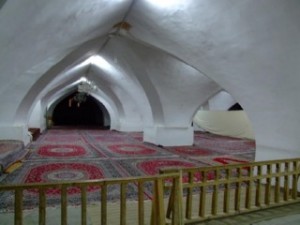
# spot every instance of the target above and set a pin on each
(181, 89)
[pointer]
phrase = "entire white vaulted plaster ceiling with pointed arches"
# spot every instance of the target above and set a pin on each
(158, 61)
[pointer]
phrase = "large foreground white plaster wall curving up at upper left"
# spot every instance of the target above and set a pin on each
(29, 48)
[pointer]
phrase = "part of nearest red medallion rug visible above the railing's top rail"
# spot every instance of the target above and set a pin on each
(41, 171)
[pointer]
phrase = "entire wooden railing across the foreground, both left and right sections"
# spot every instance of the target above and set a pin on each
(192, 194)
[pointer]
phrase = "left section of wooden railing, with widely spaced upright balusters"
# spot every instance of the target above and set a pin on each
(156, 182)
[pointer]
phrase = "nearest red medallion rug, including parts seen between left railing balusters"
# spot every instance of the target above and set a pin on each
(40, 172)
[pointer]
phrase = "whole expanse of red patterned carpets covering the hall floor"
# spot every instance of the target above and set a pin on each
(95, 154)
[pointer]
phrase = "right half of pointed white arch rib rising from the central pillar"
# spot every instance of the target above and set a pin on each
(124, 53)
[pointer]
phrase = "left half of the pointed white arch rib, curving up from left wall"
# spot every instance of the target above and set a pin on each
(60, 75)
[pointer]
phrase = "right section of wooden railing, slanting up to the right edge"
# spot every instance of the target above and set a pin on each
(220, 191)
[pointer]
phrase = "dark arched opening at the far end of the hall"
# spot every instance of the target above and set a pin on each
(85, 113)
